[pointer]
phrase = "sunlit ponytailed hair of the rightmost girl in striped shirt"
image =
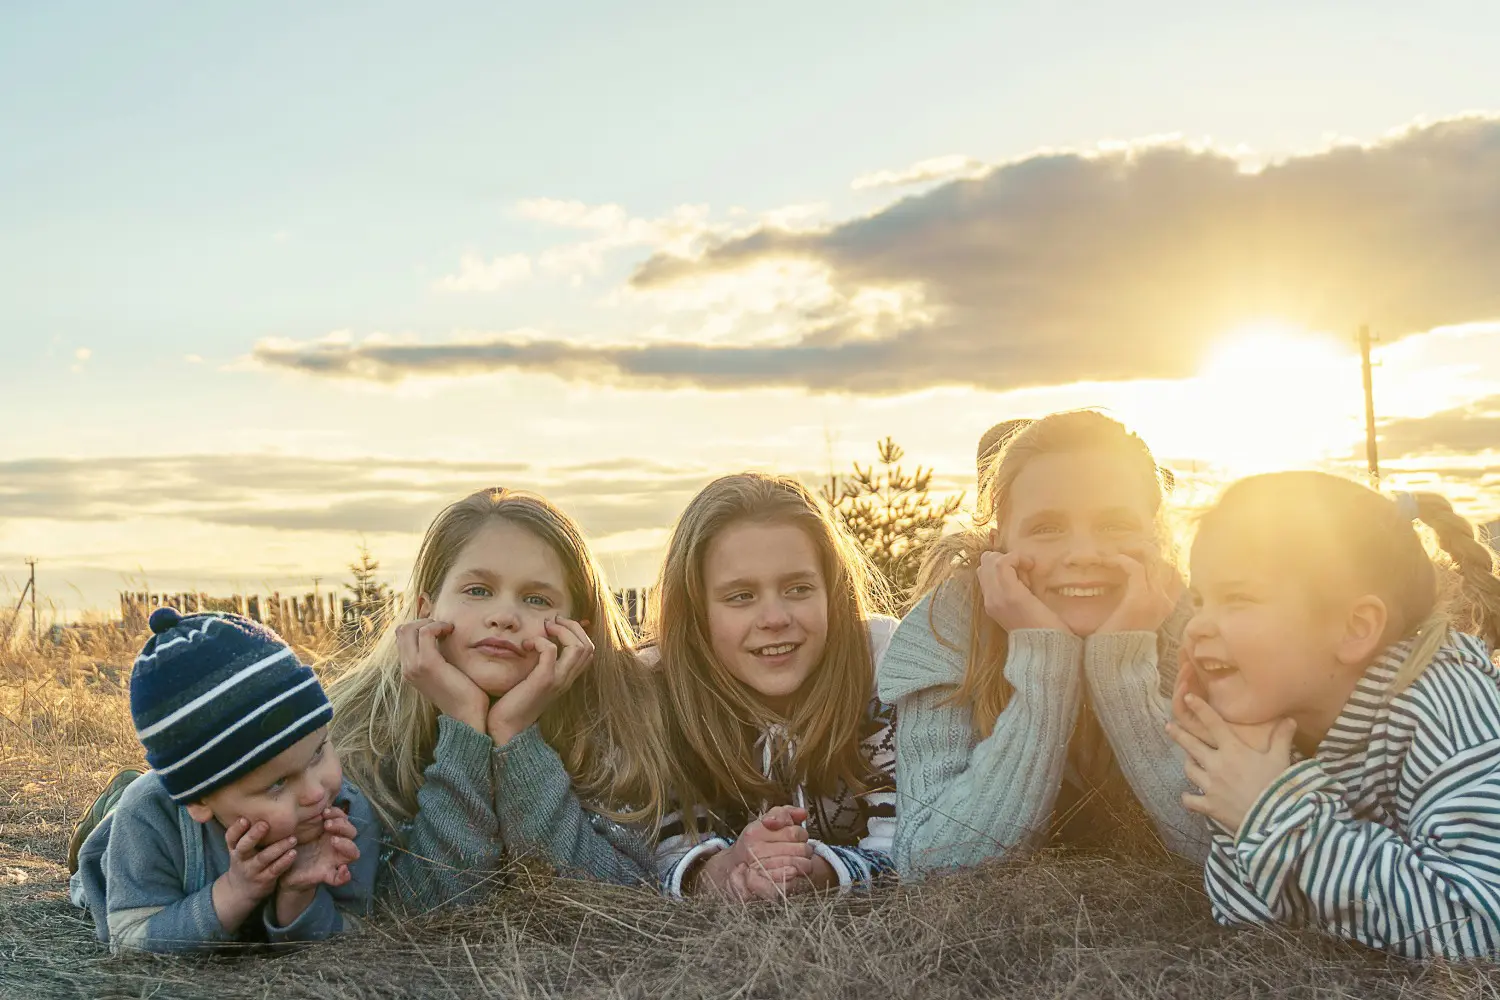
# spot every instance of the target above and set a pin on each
(1319, 527)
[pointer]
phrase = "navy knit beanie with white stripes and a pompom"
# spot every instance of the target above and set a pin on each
(217, 696)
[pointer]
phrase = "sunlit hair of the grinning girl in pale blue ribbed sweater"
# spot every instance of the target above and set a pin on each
(955, 557)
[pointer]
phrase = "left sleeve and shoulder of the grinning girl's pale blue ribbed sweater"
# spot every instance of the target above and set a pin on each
(959, 800)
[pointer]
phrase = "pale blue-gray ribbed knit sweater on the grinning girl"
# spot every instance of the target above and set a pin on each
(962, 800)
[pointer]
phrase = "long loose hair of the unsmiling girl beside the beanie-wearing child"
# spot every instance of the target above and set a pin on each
(604, 726)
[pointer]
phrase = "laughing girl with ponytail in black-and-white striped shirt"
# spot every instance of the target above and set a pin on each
(1343, 737)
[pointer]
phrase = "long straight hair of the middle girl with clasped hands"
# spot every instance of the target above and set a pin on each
(713, 719)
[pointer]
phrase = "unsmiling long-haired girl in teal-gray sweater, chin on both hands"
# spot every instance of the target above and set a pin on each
(505, 707)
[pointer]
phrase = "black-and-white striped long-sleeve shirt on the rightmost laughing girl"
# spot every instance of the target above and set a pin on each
(1390, 836)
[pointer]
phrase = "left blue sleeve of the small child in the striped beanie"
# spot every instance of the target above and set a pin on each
(146, 905)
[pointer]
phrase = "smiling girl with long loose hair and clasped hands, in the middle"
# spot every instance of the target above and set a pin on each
(781, 758)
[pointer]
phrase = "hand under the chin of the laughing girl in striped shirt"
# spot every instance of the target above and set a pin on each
(1231, 773)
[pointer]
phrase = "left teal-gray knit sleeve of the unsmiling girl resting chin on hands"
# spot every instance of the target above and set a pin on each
(452, 848)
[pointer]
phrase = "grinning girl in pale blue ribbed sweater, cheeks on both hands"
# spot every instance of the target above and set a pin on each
(1033, 680)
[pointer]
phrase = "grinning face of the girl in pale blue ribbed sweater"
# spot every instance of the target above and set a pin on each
(1070, 512)
